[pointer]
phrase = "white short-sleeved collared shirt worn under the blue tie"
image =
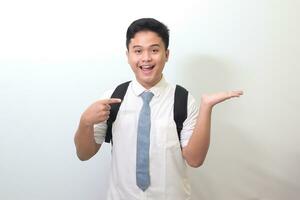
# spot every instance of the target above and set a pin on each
(168, 175)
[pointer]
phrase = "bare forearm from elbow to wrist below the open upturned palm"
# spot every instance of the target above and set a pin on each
(196, 150)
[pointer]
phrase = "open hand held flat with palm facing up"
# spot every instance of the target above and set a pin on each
(216, 98)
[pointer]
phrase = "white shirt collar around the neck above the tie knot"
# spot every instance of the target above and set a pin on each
(157, 89)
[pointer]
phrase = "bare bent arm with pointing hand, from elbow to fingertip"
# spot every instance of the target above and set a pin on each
(86, 146)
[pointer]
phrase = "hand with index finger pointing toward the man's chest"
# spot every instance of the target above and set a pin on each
(98, 111)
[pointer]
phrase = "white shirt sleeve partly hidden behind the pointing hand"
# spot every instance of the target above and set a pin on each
(100, 129)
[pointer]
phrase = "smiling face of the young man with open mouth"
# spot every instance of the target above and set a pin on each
(147, 56)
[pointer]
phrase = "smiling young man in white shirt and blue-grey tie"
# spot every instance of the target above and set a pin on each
(152, 166)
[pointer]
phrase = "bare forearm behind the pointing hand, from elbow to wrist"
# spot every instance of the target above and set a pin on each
(86, 146)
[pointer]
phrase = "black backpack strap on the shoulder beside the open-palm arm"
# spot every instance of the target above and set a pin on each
(180, 108)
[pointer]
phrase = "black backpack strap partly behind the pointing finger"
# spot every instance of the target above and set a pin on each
(119, 93)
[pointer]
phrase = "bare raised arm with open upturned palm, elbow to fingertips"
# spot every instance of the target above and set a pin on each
(196, 150)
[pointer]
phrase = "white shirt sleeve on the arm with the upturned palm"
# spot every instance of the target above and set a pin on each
(190, 122)
